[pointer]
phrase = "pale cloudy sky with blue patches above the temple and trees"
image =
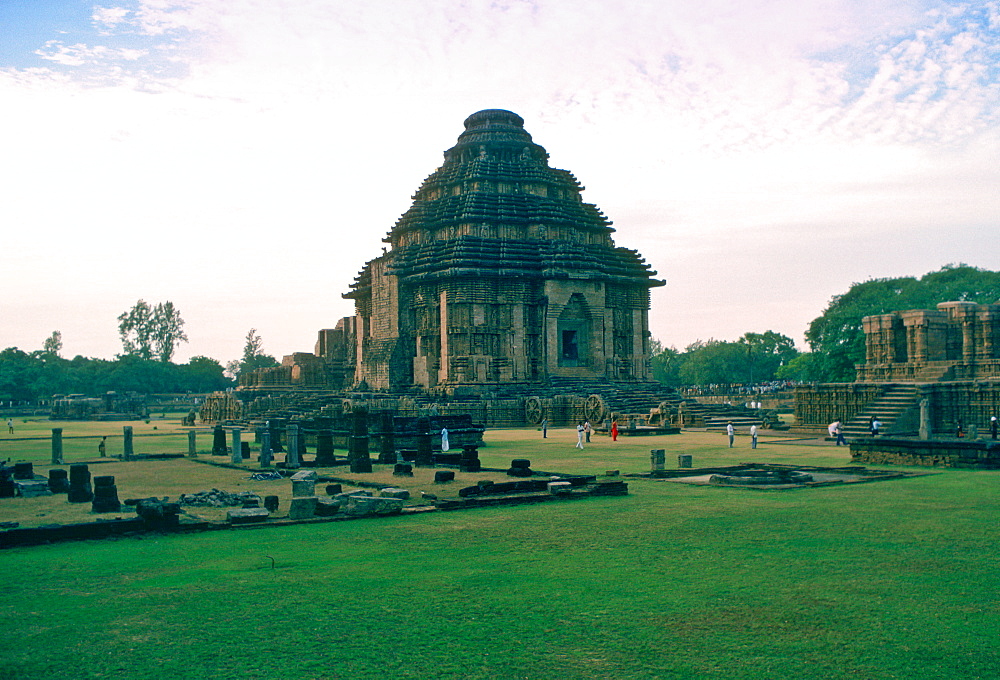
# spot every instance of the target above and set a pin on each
(243, 159)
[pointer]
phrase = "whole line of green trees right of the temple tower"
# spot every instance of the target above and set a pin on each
(836, 338)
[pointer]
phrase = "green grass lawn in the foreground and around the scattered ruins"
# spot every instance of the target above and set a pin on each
(893, 579)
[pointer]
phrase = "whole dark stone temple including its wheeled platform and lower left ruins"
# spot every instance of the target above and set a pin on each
(500, 294)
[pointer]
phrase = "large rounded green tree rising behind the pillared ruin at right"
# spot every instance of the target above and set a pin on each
(837, 337)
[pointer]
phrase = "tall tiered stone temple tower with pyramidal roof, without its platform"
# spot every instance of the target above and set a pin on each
(500, 273)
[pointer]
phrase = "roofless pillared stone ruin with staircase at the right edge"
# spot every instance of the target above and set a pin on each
(928, 374)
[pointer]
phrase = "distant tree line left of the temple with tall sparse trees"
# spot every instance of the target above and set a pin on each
(150, 335)
